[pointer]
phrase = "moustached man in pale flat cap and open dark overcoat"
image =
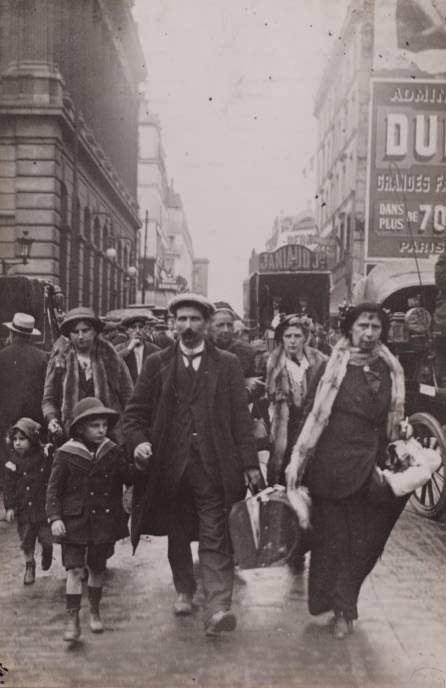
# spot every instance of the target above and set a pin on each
(188, 420)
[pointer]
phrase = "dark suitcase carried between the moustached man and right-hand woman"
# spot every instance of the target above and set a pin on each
(264, 530)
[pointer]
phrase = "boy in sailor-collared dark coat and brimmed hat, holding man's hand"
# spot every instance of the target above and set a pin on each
(84, 506)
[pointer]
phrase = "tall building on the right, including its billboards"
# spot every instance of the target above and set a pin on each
(380, 109)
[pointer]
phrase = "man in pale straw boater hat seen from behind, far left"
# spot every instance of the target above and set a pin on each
(22, 375)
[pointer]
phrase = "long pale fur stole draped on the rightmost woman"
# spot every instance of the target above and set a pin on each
(326, 393)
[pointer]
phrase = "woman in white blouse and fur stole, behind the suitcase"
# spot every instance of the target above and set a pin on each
(290, 370)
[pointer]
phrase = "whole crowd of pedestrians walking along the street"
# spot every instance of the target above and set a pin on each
(168, 408)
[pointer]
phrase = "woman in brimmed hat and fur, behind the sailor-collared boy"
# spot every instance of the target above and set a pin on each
(83, 364)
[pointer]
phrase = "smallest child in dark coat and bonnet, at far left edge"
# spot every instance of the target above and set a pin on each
(26, 480)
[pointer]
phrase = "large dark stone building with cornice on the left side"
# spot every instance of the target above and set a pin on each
(69, 142)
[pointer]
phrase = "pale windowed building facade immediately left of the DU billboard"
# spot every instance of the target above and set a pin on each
(341, 109)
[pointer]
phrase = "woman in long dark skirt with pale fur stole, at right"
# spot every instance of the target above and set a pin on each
(357, 406)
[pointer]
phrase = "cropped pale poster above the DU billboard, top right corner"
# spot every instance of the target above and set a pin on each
(410, 34)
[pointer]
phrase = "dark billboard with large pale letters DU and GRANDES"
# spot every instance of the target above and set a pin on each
(406, 189)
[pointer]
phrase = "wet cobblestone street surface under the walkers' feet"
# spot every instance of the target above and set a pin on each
(400, 639)
